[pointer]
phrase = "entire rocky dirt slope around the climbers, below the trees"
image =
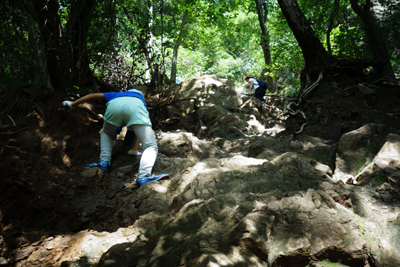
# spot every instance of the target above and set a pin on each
(243, 189)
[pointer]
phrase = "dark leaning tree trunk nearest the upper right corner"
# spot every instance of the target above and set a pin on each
(375, 40)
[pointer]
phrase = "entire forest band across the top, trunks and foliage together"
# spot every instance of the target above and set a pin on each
(70, 45)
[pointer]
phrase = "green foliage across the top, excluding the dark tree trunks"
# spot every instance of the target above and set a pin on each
(127, 38)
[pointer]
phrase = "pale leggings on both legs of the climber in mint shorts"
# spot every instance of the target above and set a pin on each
(146, 136)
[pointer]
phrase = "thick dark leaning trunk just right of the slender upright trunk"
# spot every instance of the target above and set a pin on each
(315, 56)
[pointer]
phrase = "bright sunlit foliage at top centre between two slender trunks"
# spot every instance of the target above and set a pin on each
(228, 49)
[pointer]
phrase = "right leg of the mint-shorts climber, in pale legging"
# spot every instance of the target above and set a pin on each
(146, 135)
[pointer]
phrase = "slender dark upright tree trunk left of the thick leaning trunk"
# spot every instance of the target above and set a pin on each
(262, 19)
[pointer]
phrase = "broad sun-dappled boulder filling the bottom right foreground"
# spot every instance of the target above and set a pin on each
(246, 212)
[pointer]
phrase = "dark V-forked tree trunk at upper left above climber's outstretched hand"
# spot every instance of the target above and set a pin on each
(66, 54)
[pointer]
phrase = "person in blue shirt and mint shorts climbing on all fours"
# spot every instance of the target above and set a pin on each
(125, 108)
